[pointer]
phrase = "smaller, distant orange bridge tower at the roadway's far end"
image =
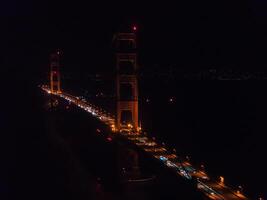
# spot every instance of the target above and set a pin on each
(55, 85)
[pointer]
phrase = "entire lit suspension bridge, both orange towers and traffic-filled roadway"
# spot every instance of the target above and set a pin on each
(125, 123)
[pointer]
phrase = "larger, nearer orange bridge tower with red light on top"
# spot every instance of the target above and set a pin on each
(126, 81)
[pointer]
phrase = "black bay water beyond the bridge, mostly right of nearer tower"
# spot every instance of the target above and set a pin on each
(220, 124)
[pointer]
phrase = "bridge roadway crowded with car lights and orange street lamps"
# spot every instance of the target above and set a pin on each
(181, 166)
